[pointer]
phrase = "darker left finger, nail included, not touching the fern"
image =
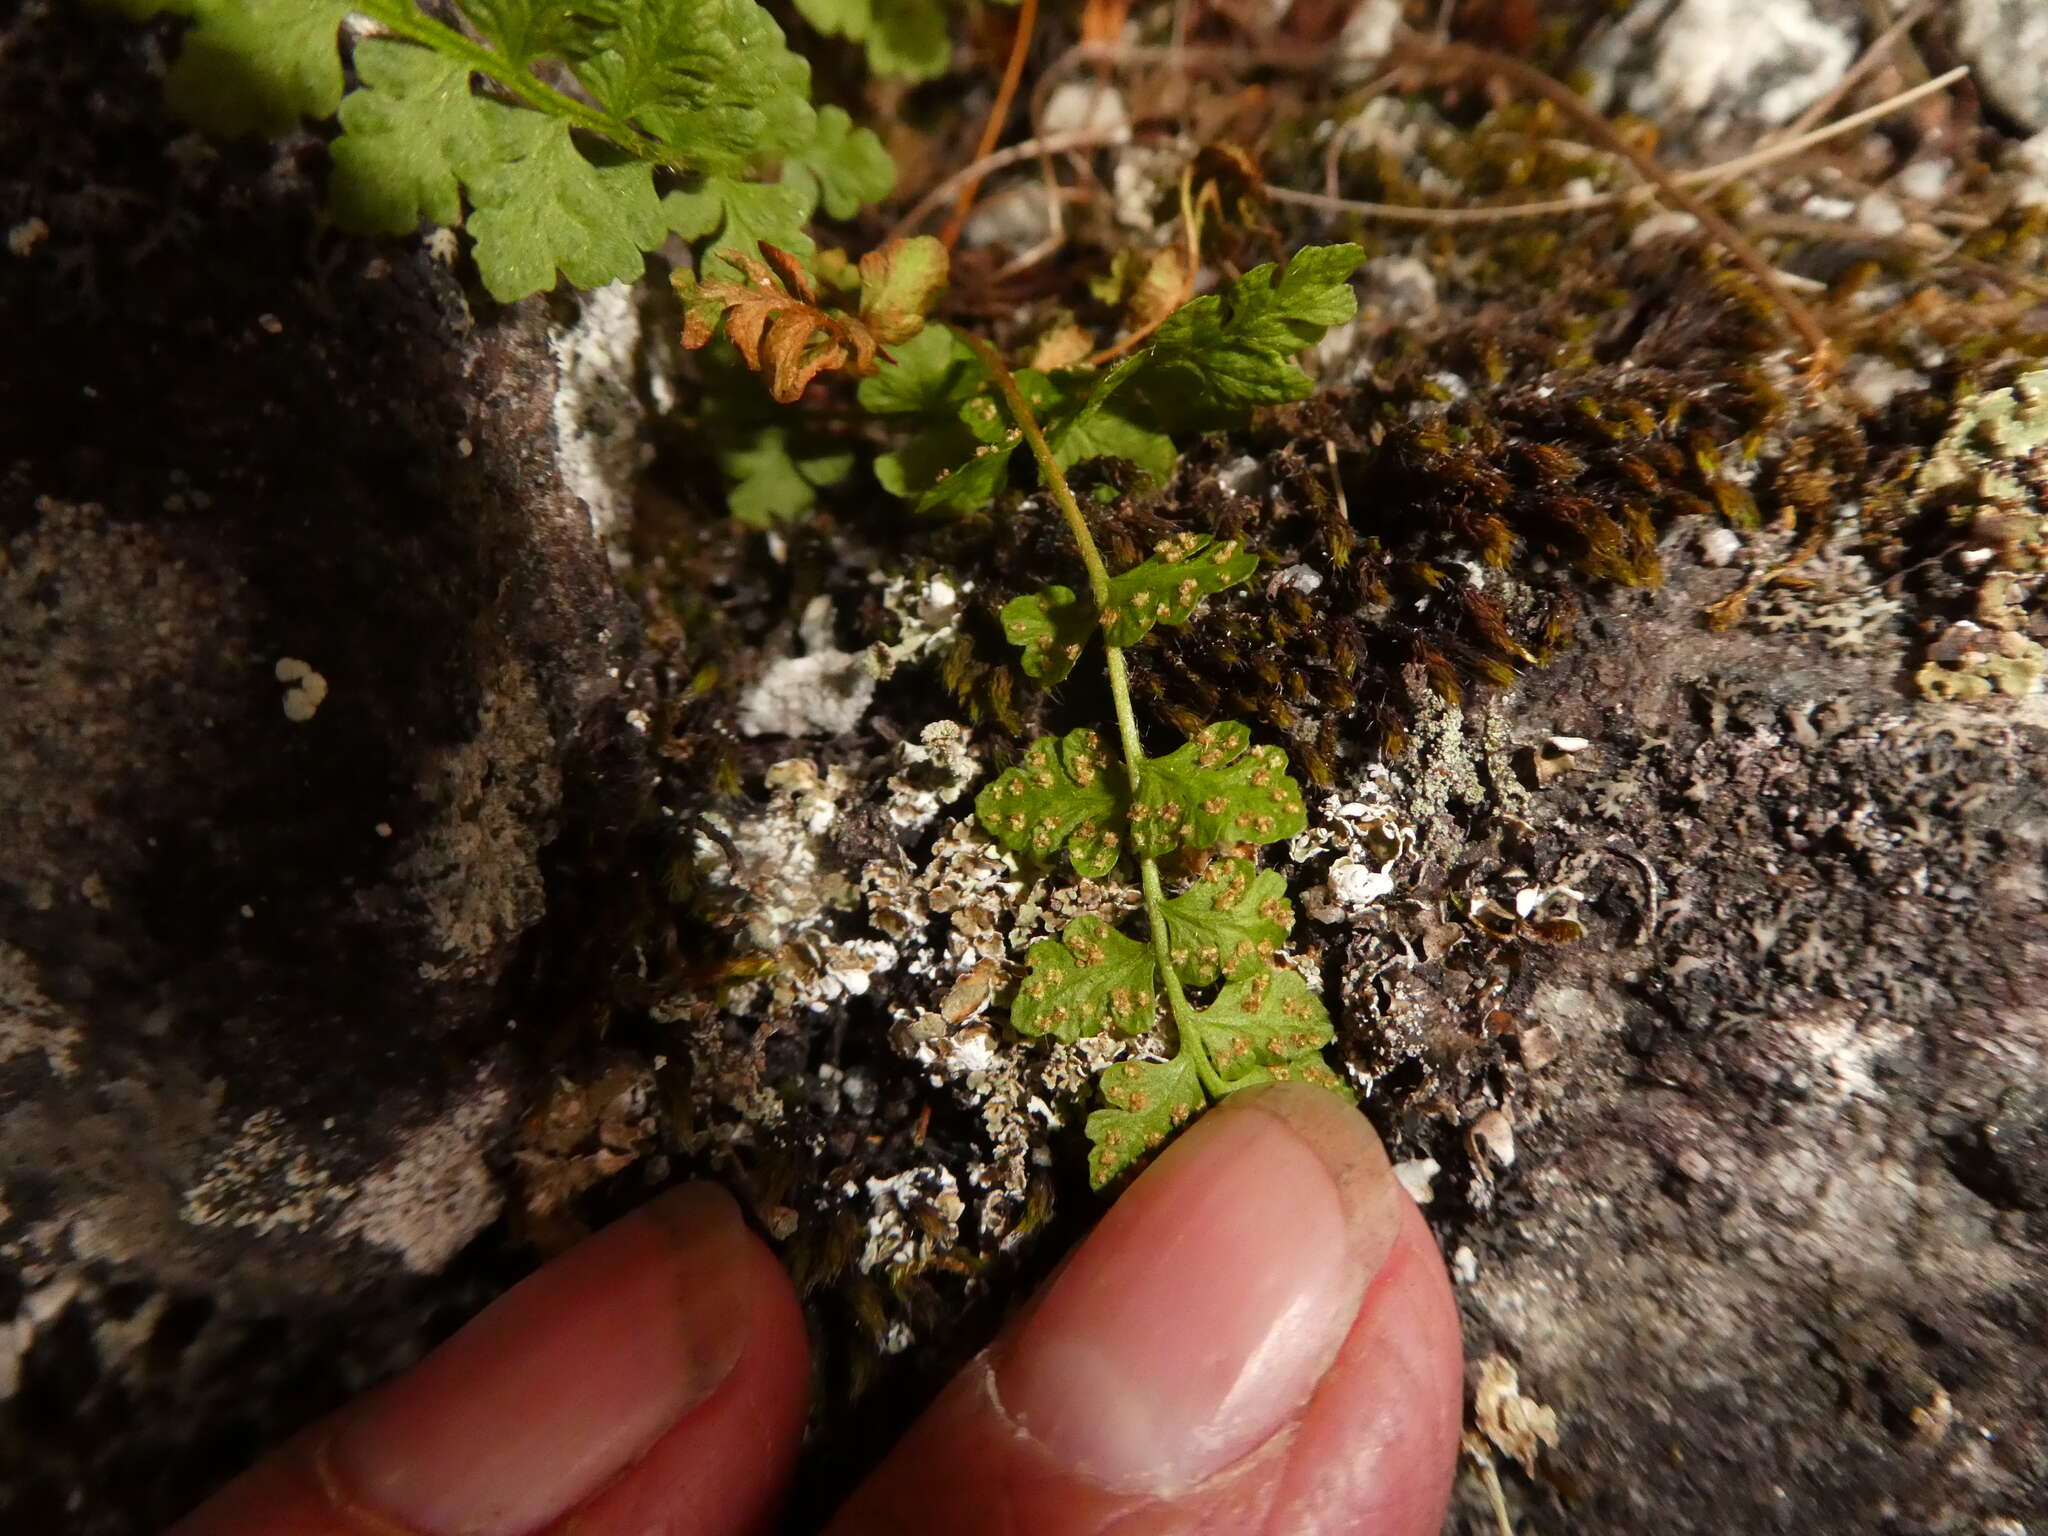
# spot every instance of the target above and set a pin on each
(669, 1336)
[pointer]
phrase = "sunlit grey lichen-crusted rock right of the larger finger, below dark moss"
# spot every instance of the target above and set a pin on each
(1770, 1226)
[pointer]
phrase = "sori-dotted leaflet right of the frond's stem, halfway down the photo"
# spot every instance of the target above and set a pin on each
(1213, 792)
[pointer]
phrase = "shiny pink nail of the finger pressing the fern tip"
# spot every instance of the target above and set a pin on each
(1199, 1318)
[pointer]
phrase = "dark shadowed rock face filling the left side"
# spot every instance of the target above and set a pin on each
(306, 656)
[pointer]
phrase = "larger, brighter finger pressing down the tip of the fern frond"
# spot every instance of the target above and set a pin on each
(1261, 1336)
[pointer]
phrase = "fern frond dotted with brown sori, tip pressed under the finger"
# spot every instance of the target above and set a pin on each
(1215, 792)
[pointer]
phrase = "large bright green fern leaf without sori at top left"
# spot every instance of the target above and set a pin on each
(443, 116)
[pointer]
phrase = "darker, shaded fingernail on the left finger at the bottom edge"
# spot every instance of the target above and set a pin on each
(560, 1385)
